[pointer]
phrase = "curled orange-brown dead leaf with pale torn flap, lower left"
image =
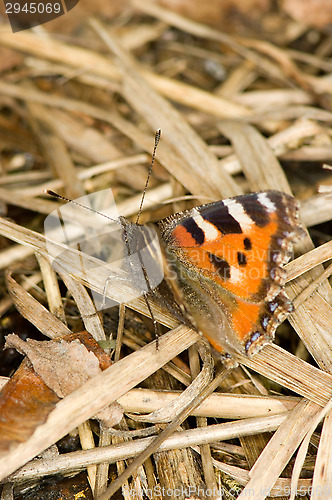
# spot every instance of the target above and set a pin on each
(53, 369)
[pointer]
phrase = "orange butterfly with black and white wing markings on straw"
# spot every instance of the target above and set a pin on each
(223, 269)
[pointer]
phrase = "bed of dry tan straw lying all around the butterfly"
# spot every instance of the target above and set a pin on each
(244, 111)
